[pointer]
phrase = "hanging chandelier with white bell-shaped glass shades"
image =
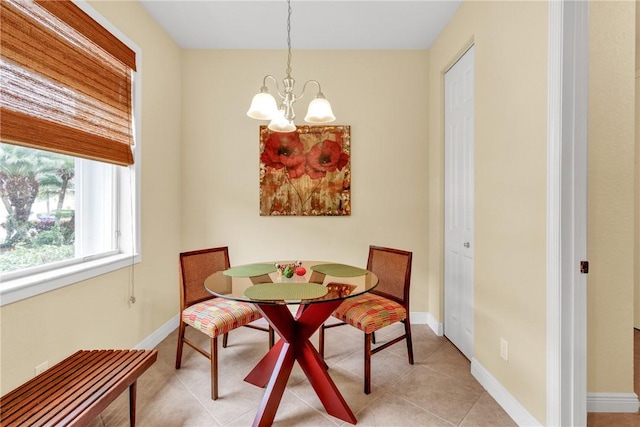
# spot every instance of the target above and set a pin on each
(264, 107)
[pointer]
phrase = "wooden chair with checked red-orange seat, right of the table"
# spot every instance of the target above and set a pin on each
(386, 304)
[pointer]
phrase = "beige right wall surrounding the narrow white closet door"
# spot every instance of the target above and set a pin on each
(510, 187)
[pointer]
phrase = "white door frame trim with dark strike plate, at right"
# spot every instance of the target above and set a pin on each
(567, 212)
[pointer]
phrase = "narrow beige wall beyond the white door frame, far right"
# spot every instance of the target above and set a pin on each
(611, 196)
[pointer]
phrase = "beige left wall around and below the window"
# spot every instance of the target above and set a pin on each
(95, 313)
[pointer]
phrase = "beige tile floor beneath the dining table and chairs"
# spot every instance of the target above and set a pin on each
(438, 390)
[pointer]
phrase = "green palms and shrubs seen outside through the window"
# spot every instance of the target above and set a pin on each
(34, 238)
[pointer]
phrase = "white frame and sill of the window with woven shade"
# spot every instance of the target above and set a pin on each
(129, 182)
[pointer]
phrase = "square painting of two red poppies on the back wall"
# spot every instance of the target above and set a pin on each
(306, 172)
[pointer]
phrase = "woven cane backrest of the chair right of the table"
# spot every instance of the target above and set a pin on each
(393, 268)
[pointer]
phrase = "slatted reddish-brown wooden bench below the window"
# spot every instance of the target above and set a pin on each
(76, 390)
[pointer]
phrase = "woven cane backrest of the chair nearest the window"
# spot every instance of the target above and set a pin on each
(195, 267)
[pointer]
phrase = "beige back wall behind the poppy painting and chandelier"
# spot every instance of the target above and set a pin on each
(380, 94)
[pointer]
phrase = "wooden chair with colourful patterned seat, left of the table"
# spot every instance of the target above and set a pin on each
(211, 316)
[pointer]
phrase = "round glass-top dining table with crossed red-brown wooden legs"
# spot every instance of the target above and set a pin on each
(318, 291)
